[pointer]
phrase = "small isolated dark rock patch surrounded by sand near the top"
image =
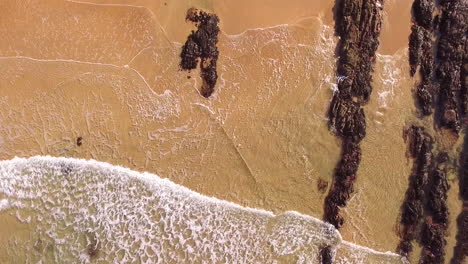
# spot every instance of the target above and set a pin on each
(200, 48)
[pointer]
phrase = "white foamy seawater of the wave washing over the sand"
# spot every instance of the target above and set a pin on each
(85, 211)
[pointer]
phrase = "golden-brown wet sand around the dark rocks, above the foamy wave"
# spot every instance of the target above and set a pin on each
(109, 73)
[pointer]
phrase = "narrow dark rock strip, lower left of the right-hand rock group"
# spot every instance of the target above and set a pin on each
(420, 150)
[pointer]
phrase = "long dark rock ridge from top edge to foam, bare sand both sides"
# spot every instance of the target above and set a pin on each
(358, 23)
